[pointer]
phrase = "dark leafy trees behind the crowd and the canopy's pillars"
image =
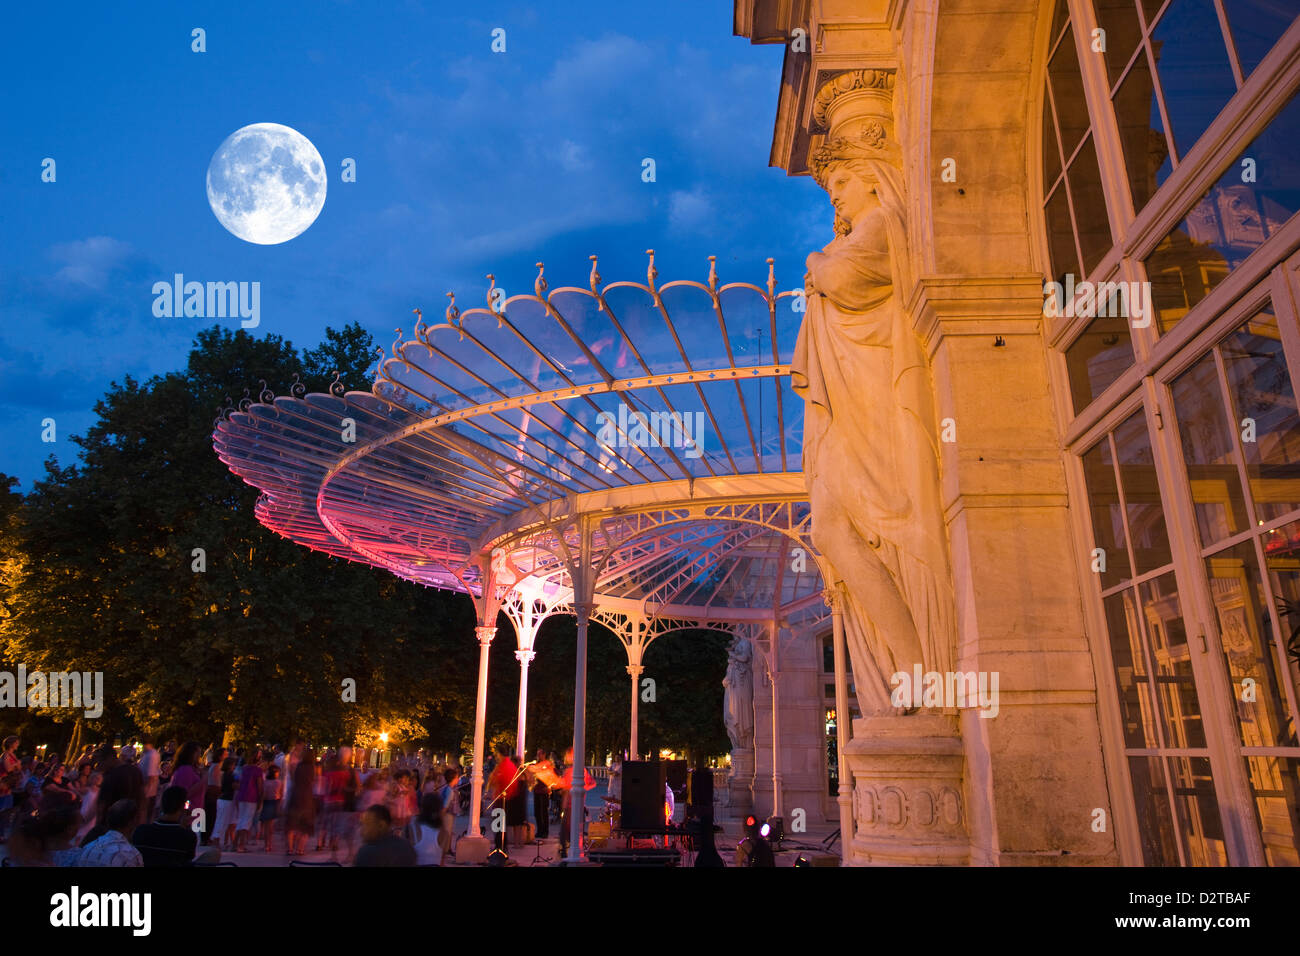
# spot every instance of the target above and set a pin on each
(145, 561)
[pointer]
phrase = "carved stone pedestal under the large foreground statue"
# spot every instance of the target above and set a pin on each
(908, 801)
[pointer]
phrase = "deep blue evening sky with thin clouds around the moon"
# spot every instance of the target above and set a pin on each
(467, 162)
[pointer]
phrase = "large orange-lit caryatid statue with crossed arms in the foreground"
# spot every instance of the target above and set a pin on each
(870, 444)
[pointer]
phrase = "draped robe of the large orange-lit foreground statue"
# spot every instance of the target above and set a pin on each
(870, 453)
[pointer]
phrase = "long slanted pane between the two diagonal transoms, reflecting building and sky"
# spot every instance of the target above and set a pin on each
(1256, 194)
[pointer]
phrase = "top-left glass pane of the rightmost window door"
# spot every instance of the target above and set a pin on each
(1210, 453)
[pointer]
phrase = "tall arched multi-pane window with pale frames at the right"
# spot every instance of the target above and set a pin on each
(1171, 170)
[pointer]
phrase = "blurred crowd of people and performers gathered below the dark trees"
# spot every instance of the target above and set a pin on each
(183, 806)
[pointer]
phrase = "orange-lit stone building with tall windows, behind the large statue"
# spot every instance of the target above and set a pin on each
(1104, 276)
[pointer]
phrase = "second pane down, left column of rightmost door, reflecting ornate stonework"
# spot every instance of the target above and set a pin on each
(1246, 630)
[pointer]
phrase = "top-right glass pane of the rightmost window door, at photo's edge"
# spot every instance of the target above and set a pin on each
(1267, 417)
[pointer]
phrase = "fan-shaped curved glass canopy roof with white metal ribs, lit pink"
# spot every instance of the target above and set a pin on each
(665, 410)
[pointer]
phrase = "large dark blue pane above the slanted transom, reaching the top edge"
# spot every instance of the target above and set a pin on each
(1193, 66)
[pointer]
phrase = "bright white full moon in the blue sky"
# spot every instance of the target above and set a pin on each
(267, 184)
